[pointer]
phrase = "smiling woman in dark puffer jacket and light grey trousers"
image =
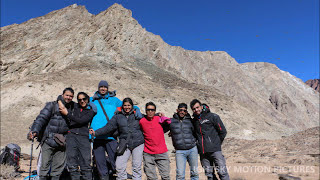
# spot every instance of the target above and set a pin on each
(131, 140)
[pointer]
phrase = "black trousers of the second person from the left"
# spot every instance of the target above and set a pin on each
(79, 155)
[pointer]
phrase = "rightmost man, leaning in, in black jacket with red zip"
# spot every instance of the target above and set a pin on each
(210, 134)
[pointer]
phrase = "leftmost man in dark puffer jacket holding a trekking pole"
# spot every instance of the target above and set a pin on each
(53, 125)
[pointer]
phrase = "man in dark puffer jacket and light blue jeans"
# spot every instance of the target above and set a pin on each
(184, 142)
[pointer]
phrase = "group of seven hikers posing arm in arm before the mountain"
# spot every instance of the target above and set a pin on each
(66, 129)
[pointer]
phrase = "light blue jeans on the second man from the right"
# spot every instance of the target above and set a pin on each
(191, 156)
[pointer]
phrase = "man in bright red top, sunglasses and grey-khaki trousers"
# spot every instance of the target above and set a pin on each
(155, 149)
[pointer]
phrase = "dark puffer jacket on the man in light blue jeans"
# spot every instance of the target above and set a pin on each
(182, 133)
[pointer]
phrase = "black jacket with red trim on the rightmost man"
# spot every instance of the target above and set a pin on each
(210, 131)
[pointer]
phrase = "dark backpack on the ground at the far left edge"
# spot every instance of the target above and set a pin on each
(10, 155)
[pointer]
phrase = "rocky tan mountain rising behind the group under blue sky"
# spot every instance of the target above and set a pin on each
(71, 47)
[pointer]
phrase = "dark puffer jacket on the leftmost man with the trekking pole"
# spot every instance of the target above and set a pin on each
(51, 121)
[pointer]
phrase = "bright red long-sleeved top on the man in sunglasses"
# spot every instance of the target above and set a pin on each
(153, 133)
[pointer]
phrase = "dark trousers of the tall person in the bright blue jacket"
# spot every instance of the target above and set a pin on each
(105, 164)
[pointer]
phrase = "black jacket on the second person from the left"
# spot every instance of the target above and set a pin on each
(80, 119)
